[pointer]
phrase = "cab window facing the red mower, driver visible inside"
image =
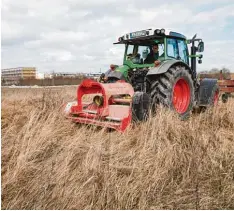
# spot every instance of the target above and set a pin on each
(145, 54)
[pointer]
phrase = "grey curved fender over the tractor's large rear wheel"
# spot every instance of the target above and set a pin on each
(164, 66)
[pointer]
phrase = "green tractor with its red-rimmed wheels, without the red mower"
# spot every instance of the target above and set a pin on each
(171, 79)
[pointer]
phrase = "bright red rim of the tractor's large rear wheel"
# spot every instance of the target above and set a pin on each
(181, 96)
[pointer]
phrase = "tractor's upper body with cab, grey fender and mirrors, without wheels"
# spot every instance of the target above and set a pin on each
(140, 55)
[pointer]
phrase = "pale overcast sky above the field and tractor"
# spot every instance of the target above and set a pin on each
(78, 35)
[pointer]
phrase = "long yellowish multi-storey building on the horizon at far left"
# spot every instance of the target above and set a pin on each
(12, 76)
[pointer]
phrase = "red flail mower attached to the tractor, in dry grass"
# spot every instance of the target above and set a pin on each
(111, 105)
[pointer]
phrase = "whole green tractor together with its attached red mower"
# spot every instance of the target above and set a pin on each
(157, 69)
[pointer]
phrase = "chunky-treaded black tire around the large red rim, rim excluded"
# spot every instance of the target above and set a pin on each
(162, 89)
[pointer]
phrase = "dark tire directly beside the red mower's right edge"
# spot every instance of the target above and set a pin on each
(140, 106)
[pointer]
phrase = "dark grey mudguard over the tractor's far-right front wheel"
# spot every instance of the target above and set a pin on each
(205, 91)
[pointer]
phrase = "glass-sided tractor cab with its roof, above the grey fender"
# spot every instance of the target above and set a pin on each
(138, 45)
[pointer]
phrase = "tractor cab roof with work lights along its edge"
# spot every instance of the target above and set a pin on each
(148, 35)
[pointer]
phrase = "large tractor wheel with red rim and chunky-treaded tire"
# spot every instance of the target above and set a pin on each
(174, 89)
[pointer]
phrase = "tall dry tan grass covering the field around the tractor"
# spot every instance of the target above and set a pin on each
(50, 163)
